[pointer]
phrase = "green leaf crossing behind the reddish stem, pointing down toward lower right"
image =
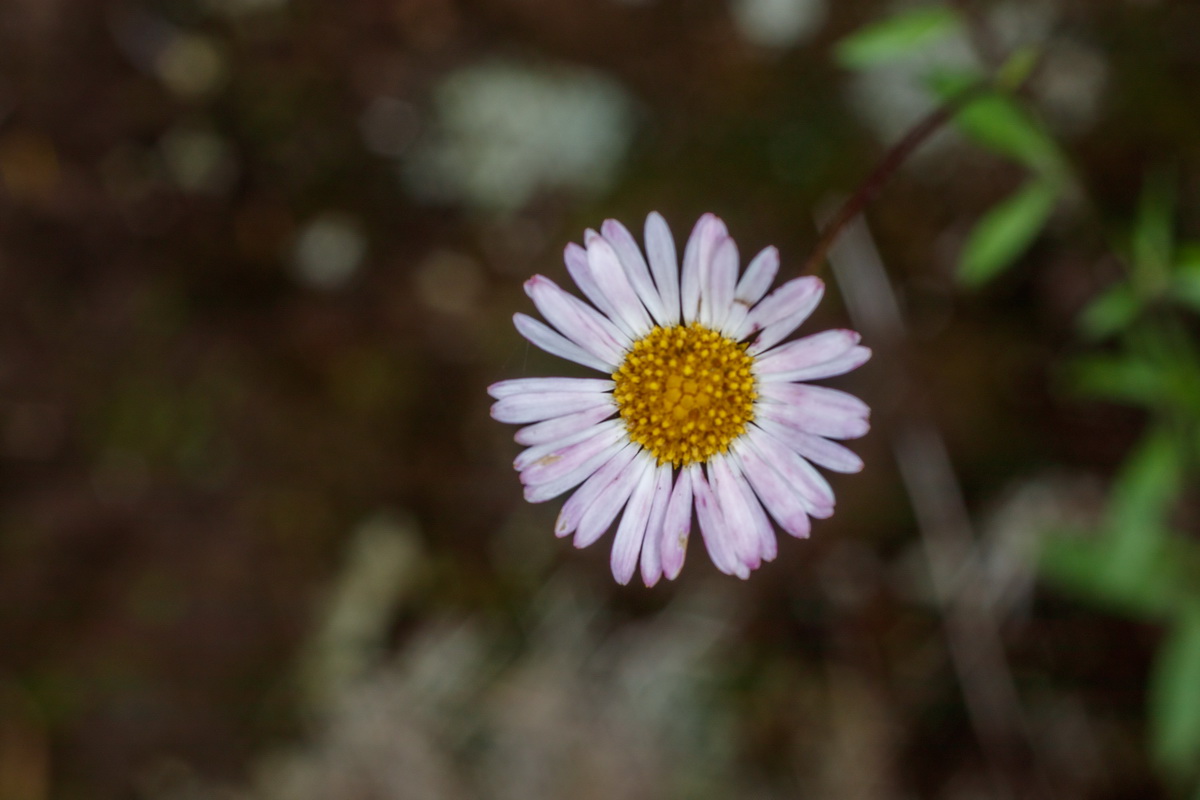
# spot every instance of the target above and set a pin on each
(997, 123)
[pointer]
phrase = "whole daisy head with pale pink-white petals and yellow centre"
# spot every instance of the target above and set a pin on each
(703, 407)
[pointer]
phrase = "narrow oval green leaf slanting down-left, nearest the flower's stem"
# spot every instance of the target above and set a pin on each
(1006, 232)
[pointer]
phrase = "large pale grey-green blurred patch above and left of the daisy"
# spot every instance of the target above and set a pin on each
(506, 131)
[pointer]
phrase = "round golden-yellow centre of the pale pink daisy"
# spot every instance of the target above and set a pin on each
(686, 393)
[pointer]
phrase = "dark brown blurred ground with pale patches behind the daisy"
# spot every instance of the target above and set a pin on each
(261, 540)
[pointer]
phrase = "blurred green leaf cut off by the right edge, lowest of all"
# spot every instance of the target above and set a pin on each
(1175, 697)
